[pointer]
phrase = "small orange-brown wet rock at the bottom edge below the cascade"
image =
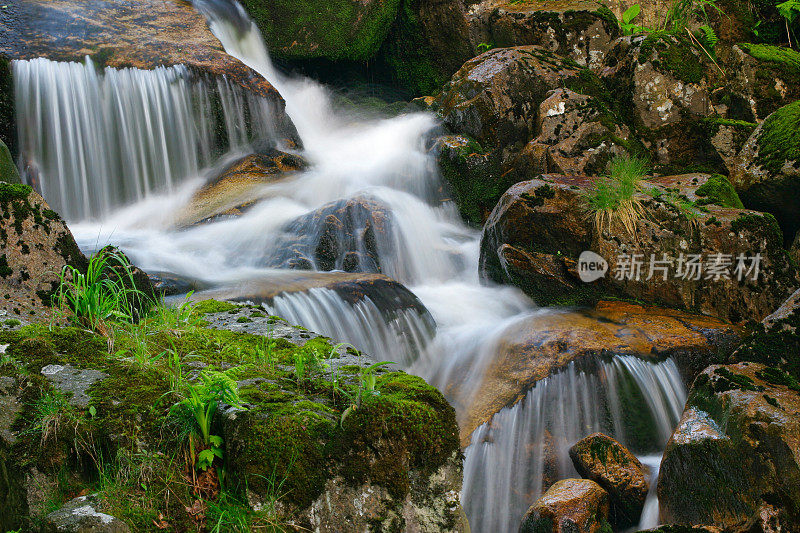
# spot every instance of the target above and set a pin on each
(569, 505)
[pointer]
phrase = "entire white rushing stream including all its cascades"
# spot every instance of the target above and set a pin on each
(119, 152)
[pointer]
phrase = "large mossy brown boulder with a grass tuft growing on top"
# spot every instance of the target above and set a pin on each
(540, 228)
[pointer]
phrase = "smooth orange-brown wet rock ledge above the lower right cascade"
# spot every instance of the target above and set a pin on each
(545, 343)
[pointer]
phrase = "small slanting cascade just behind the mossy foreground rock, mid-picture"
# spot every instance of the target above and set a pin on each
(384, 332)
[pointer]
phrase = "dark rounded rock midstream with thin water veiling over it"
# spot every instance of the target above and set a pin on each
(351, 235)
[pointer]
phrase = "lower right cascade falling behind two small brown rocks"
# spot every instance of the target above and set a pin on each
(527, 445)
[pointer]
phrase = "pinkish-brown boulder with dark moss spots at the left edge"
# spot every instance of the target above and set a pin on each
(36, 245)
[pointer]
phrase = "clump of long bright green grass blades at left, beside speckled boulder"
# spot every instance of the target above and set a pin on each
(103, 293)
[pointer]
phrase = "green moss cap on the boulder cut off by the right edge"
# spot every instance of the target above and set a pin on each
(779, 140)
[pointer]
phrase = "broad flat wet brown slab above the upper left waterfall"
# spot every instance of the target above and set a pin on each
(116, 33)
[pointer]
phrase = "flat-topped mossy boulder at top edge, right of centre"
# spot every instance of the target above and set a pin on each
(581, 30)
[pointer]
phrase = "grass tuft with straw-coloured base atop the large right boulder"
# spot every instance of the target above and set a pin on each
(613, 200)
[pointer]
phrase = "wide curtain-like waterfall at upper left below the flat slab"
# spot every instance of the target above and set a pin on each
(93, 140)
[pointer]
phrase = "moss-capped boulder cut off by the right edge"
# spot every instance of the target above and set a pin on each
(767, 171)
